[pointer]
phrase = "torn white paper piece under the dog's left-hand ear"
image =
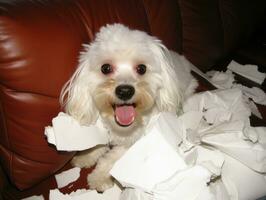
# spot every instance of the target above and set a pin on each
(68, 135)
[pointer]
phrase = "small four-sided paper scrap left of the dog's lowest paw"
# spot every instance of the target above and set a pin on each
(68, 176)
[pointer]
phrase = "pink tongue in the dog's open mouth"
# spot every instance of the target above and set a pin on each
(125, 115)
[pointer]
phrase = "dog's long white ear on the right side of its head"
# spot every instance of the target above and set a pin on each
(170, 94)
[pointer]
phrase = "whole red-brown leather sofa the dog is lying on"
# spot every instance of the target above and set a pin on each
(40, 41)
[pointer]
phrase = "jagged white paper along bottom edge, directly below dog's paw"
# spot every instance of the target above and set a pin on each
(110, 194)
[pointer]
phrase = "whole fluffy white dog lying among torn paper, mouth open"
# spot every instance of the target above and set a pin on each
(125, 76)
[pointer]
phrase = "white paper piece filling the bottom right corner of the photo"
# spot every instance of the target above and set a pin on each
(241, 182)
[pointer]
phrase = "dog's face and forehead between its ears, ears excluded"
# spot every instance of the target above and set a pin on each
(126, 78)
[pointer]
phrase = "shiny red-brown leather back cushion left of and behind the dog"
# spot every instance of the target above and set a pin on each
(40, 43)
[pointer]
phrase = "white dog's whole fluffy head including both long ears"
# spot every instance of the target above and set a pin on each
(121, 77)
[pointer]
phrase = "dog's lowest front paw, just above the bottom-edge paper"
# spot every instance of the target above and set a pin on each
(100, 182)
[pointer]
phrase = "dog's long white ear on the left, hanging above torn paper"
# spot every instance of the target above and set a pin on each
(76, 95)
